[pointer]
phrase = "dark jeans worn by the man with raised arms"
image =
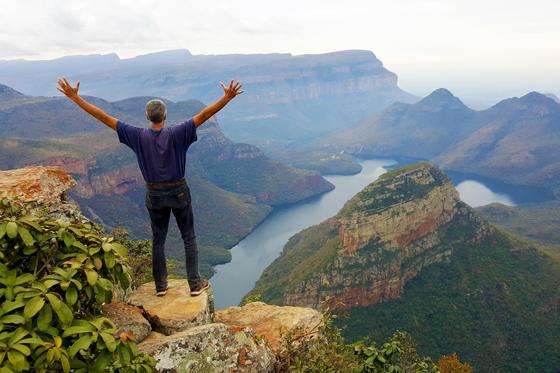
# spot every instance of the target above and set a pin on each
(160, 204)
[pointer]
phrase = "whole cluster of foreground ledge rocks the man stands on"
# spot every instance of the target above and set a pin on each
(184, 334)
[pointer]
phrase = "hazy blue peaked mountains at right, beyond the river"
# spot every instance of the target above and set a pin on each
(516, 140)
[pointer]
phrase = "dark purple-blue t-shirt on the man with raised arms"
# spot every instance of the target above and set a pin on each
(161, 154)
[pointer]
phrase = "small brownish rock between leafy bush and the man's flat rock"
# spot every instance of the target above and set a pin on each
(127, 318)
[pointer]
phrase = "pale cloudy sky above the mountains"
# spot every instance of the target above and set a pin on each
(481, 50)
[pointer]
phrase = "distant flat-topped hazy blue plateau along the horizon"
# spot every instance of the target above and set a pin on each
(288, 98)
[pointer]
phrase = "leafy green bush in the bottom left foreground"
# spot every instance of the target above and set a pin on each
(54, 276)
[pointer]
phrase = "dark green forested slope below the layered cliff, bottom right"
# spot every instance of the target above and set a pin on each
(493, 303)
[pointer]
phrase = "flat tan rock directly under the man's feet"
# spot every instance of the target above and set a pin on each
(177, 310)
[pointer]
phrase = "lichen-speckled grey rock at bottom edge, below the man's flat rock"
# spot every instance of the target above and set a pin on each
(210, 348)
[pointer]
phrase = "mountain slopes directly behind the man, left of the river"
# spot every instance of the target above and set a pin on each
(234, 186)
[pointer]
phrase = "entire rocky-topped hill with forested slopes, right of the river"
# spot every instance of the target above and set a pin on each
(407, 254)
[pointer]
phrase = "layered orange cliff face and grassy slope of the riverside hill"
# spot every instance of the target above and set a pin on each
(383, 237)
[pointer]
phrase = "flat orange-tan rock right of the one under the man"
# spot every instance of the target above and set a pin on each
(272, 322)
